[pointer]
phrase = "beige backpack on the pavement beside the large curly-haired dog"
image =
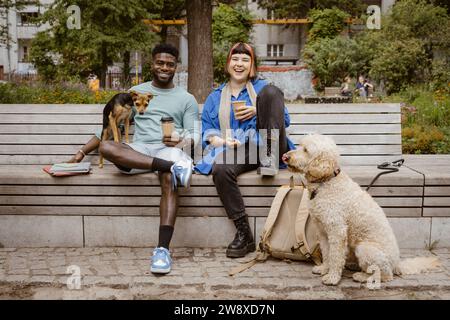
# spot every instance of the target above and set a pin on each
(289, 232)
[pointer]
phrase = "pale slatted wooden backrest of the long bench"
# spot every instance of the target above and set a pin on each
(367, 134)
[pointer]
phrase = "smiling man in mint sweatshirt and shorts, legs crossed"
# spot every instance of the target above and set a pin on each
(150, 152)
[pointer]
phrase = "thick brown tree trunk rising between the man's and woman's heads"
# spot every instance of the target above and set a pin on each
(200, 51)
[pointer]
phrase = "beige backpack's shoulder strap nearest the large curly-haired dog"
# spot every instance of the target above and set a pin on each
(300, 229)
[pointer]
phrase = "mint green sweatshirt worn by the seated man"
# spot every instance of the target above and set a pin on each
(176, 103)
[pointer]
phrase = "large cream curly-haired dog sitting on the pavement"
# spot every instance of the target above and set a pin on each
(354, 227)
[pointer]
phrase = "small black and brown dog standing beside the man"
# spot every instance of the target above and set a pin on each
(117, 111)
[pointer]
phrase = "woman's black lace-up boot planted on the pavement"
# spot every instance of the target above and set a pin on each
(243, 242)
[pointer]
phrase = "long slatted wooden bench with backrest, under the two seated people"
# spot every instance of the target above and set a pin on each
(107, 208)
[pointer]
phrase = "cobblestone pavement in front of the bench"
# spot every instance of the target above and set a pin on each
(123, 273)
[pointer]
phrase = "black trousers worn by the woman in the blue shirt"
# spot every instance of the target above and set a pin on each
(269, 115)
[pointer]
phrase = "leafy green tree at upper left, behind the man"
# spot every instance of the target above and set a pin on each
(108, 29)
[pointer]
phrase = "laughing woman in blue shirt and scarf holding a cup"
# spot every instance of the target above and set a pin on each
(235, 142)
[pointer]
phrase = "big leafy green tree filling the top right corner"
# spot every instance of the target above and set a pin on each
(412, 46)
